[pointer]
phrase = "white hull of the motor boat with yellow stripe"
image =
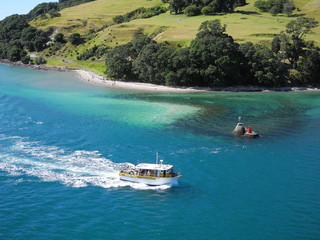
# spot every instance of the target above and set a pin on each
(151, 181)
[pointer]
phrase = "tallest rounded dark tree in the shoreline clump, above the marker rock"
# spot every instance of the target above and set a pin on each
(215, 55)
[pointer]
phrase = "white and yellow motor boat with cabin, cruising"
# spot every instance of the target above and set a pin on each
(150, 174)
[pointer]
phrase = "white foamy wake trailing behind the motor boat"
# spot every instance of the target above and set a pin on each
(53, 164)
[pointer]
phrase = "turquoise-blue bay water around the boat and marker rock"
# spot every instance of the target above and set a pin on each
(62, 142)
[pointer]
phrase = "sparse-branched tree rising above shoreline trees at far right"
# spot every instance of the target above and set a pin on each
(292, 39)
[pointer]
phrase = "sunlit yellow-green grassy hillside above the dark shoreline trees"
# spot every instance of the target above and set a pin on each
(245, 24)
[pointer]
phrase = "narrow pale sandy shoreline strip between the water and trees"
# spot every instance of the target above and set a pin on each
(95, 78)
